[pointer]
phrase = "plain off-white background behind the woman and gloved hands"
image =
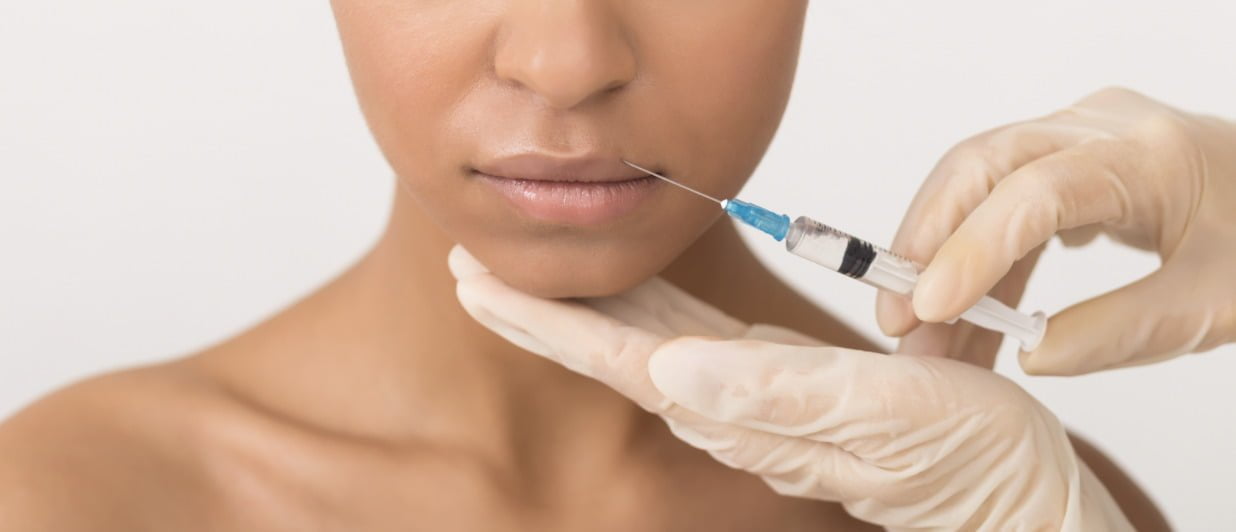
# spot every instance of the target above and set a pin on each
(174, 173)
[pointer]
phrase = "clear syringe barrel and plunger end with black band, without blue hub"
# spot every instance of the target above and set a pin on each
(883, 269)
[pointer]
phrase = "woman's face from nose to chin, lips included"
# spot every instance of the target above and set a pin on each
(509, 119)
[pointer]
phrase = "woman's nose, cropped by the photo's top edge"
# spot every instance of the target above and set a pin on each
(565, 51)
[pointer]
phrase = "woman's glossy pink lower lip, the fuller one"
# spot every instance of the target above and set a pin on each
(575, 204)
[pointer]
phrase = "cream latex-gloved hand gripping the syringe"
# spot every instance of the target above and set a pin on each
(1118, 163)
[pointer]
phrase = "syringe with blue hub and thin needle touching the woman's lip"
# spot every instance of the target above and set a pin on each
(858, 259)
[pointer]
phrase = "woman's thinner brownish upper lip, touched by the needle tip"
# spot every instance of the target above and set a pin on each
(544, 168)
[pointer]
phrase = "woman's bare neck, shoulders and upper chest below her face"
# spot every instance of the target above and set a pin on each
(376, 404)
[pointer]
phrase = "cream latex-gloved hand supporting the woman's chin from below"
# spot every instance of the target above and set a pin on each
(904, 442)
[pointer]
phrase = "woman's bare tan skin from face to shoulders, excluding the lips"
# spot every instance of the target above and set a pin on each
(376, 403)
